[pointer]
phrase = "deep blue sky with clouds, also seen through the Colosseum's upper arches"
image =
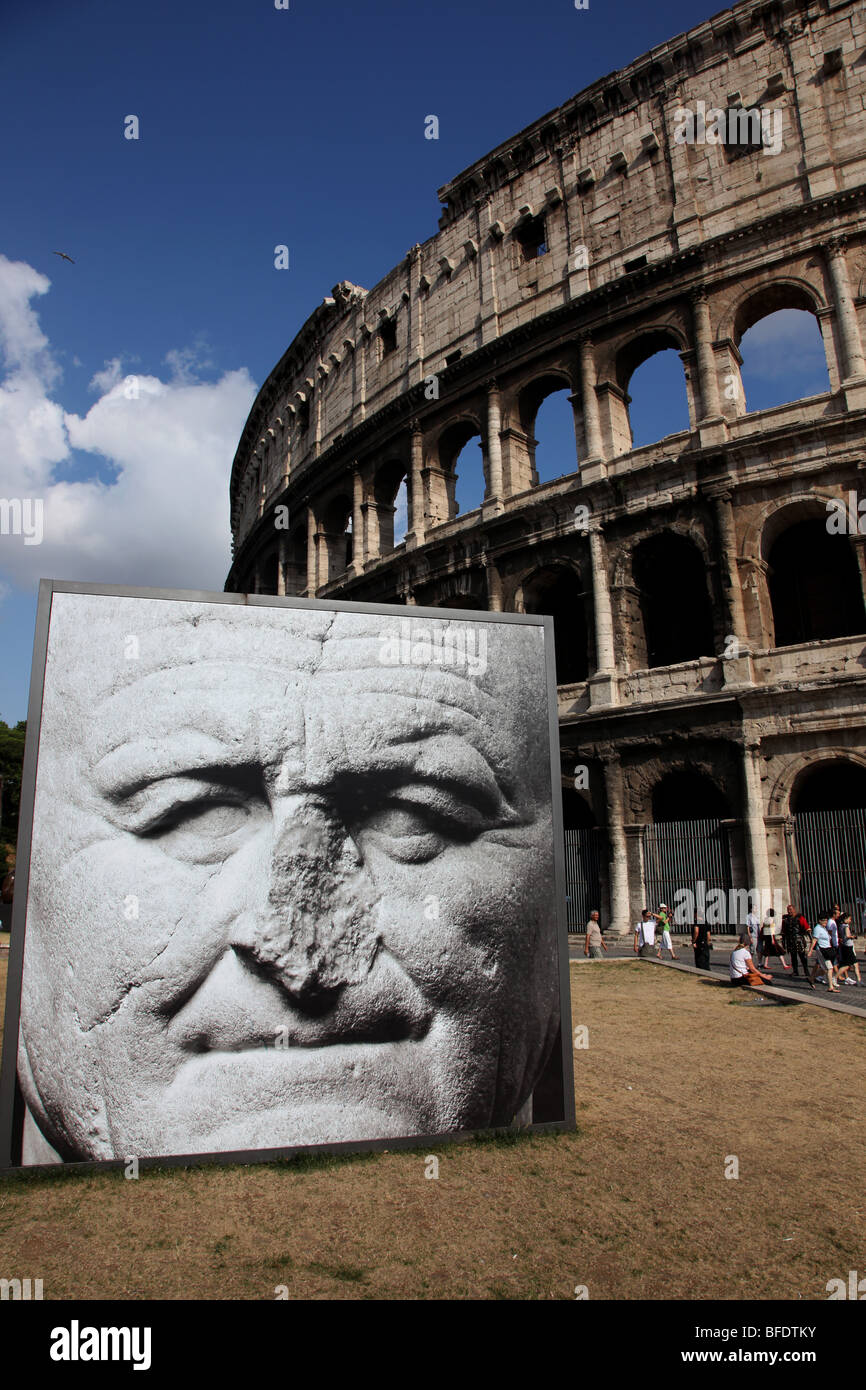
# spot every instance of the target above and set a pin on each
(258, 127)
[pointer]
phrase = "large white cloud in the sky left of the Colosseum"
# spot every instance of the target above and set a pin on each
(163, 521)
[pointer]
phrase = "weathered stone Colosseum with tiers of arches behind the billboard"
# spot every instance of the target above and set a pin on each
(708, 589)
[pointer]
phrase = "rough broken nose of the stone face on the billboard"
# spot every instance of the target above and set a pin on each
(318, 931)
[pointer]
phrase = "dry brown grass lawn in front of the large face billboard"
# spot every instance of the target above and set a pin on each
(633, 1206)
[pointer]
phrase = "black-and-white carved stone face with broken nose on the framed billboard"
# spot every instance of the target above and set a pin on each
(283, 892)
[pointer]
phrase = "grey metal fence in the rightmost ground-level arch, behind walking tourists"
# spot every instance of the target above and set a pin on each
(831, 861)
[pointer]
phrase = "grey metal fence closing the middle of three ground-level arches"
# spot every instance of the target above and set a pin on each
(685, 854)
